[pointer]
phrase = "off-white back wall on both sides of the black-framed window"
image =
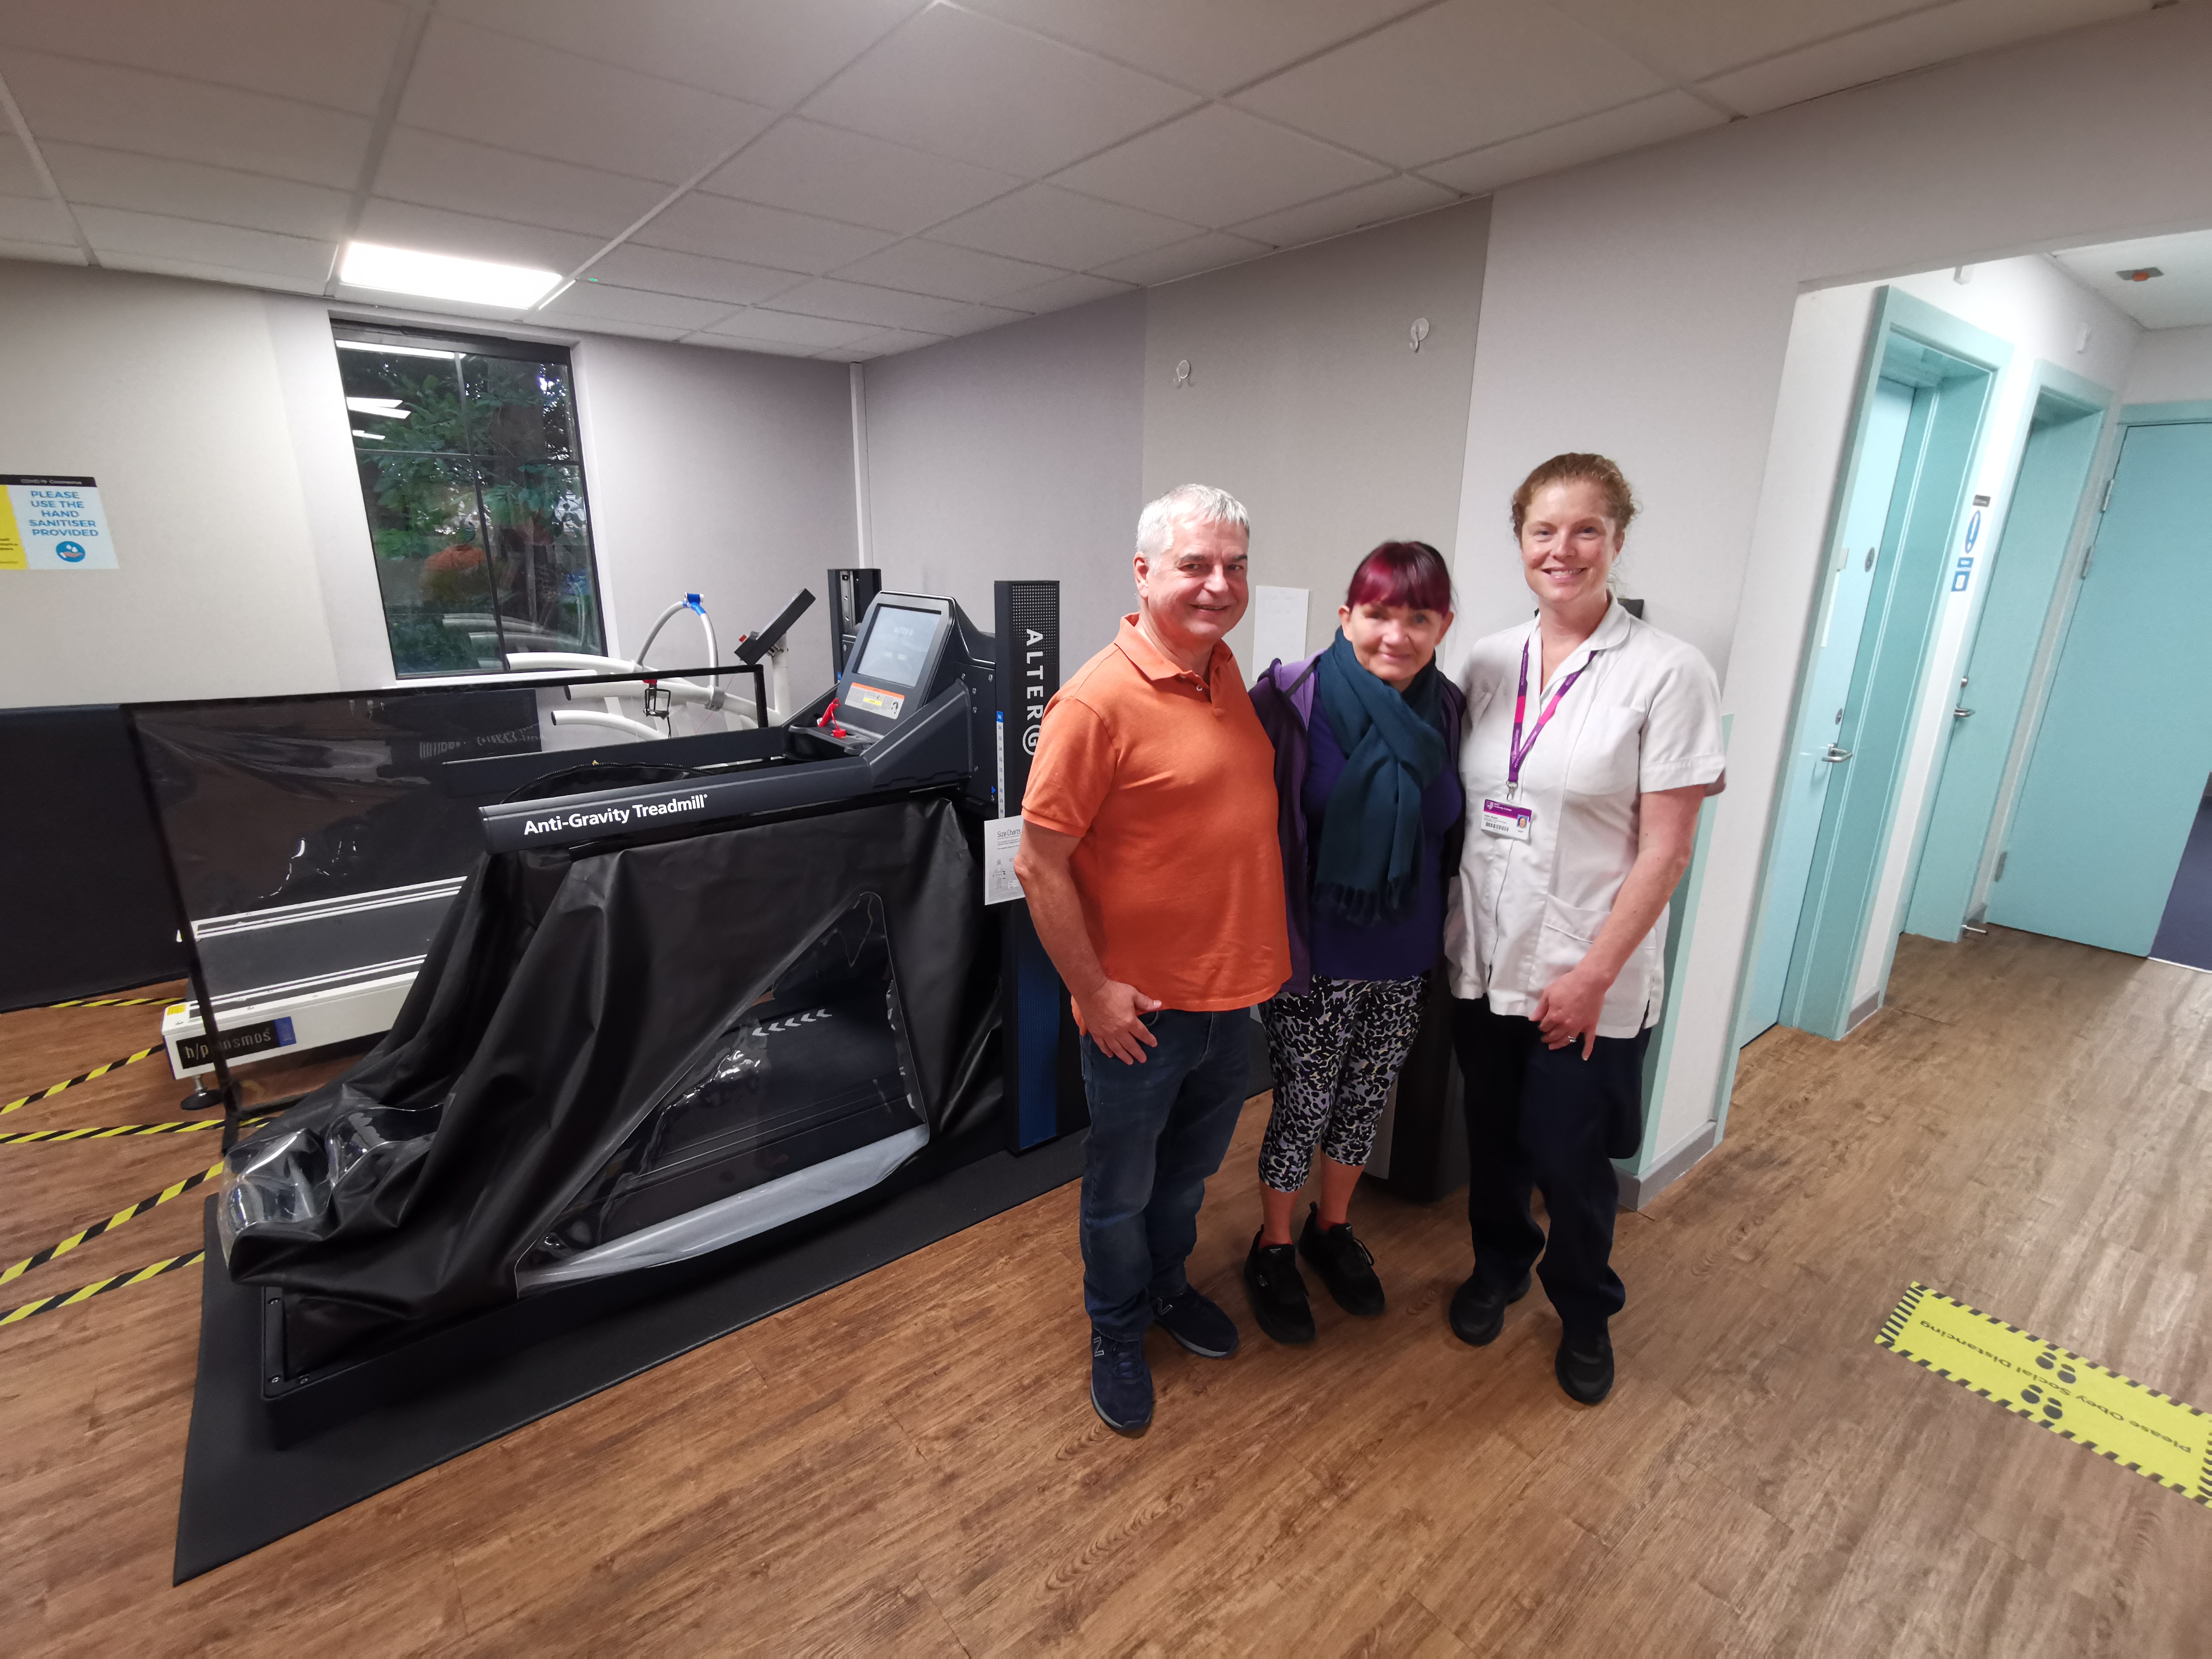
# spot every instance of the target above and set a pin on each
(216, 426)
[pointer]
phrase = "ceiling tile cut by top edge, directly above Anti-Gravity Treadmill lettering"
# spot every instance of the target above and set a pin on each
(771, 52)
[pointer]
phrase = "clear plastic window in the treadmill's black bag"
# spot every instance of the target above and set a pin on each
(806, 1096)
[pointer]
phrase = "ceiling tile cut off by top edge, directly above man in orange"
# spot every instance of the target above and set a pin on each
(1211, 48)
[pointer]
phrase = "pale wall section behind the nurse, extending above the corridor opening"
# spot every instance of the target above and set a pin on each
(1645, 306)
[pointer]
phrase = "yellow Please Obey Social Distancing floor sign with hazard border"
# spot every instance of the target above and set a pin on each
(2080, 1401)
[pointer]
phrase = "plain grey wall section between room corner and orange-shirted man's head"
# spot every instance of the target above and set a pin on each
(1014, 455)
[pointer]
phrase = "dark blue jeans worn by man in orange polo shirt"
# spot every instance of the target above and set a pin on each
(1156, 1134)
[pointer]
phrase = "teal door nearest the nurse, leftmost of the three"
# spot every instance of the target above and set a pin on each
(1806, 771)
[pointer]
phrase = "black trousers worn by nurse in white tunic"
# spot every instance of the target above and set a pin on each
(1547, 1120)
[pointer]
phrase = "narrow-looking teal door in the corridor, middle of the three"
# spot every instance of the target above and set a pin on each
(2023, 574)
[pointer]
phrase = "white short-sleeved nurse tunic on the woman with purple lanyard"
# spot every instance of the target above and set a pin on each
(1642, 718)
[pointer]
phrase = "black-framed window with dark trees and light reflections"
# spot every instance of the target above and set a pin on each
(474, 483)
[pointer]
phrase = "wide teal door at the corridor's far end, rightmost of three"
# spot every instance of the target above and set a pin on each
(2127, 738)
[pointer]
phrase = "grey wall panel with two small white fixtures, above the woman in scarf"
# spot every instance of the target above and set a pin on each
(1308, 404)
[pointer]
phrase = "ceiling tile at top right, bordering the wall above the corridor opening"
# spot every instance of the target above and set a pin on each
(1901, 45)
